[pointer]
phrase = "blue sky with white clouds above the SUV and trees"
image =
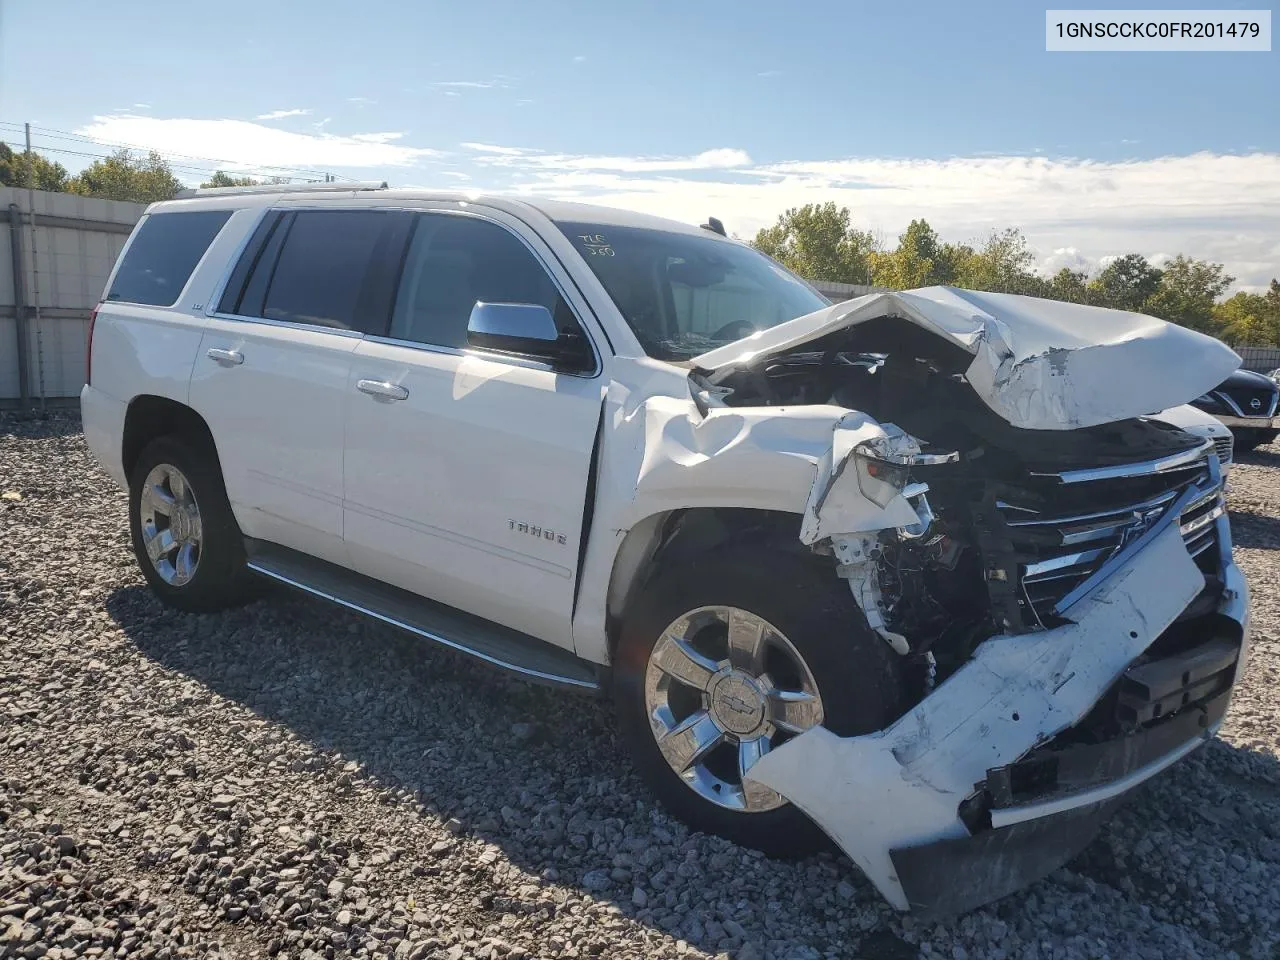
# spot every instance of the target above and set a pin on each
(952, 112)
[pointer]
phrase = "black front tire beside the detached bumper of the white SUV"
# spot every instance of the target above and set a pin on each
(860, 679)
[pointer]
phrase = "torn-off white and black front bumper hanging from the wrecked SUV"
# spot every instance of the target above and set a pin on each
(944, 812)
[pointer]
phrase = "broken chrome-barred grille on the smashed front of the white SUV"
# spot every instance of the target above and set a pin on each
(1060, 548)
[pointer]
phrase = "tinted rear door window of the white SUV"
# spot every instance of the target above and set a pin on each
(321, 276)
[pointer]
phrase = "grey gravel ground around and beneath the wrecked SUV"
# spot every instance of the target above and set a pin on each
(290, 780)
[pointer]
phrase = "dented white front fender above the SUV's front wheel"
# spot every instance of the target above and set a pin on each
(660, 452)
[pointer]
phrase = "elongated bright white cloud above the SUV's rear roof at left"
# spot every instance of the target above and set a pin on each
(252, 145)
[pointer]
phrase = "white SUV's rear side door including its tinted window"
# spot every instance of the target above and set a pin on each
(272, 372)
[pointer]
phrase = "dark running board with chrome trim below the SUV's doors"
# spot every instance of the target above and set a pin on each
(492, 643)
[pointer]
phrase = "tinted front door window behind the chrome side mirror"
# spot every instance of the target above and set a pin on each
(455, 262)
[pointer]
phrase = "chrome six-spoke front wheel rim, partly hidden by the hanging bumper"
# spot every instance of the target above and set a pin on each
(723, 689)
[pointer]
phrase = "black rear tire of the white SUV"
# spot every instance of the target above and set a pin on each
(218, 578)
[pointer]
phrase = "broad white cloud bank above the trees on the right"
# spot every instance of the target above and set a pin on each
(1218, 207)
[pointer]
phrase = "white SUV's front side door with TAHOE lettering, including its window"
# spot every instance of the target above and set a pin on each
(467, 473)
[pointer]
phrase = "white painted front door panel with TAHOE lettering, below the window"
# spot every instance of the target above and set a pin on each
(472, 491)
